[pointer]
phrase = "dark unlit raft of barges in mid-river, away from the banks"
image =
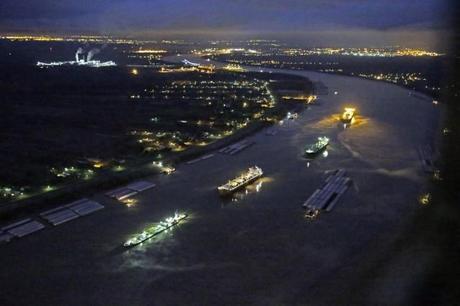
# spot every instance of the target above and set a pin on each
(327, 196)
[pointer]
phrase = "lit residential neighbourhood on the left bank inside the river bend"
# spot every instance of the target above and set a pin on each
(250, 97)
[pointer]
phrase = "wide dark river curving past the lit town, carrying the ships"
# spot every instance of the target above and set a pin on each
(257, 249)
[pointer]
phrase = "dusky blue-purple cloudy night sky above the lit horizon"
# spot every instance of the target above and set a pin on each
(341, 20)
